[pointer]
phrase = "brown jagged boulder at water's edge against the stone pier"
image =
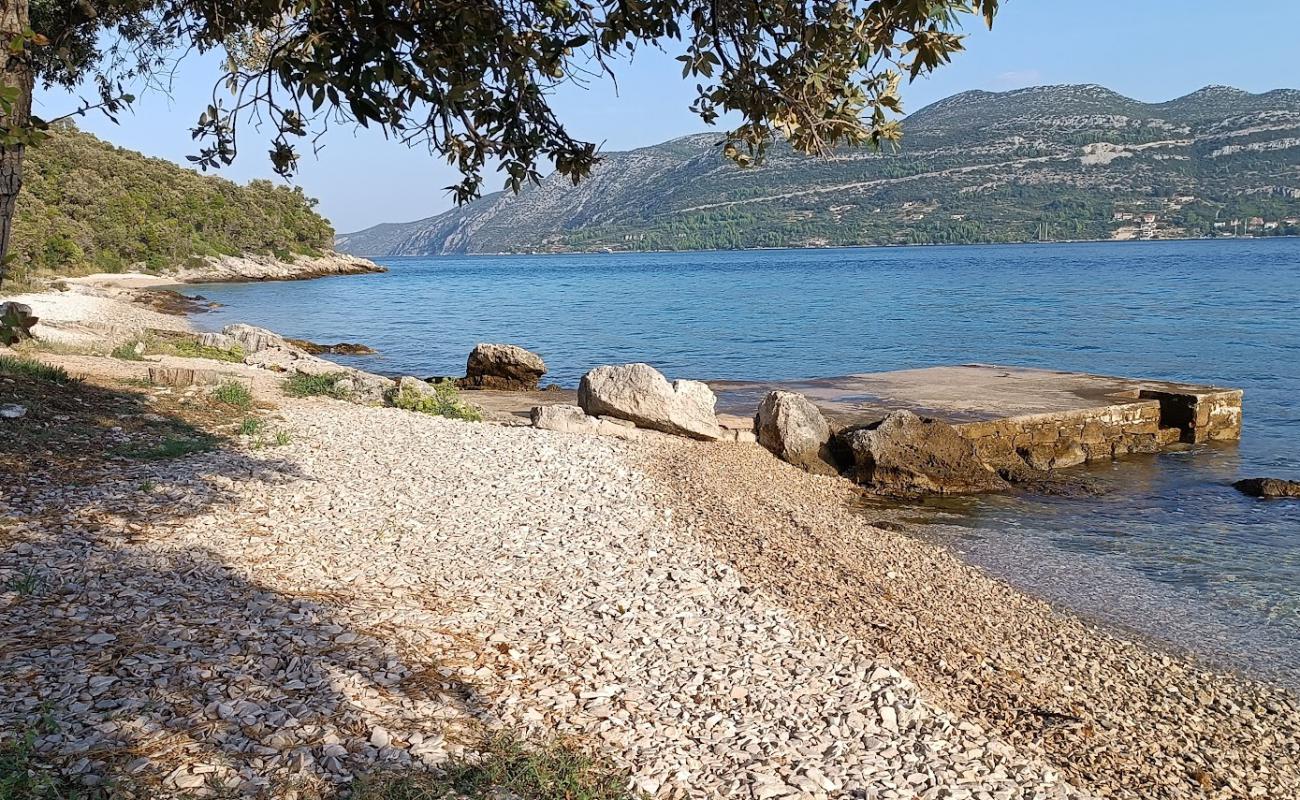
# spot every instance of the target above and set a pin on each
(907, 456)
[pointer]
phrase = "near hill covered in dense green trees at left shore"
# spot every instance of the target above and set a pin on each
(90, 206)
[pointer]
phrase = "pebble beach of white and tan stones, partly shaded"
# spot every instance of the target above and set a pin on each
(382, 589)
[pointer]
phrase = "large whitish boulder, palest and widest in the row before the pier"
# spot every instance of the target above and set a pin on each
(640, 395)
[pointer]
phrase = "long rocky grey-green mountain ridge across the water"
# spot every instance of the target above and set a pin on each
(1045, 163)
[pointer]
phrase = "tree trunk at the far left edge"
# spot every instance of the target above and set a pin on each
(18, 75)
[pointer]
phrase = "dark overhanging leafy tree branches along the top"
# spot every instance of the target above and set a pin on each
(474, 81)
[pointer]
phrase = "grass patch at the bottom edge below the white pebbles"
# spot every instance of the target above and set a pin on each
(509, 769)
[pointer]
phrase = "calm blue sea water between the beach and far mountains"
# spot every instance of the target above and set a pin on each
(1172, 551)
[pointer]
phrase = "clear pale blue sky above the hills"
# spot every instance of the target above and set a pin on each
(1150, 50)
